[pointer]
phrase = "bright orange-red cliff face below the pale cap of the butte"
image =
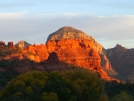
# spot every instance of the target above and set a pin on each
(77, 52)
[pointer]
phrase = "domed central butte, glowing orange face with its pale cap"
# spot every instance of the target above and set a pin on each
(75, 47)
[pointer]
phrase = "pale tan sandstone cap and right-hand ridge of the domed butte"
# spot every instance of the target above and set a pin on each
(67, 33)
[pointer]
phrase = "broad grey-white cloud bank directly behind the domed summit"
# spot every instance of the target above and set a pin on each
(107, 30)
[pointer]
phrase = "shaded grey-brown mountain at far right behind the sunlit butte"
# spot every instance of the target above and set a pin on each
(122, 60)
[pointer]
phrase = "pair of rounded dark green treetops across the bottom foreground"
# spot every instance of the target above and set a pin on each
(69, 85)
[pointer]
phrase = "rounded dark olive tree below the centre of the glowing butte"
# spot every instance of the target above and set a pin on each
(85, 85)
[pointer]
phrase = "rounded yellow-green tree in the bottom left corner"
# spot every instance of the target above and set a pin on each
(26, 87)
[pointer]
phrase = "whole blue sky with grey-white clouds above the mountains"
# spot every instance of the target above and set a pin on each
(109, 22)
